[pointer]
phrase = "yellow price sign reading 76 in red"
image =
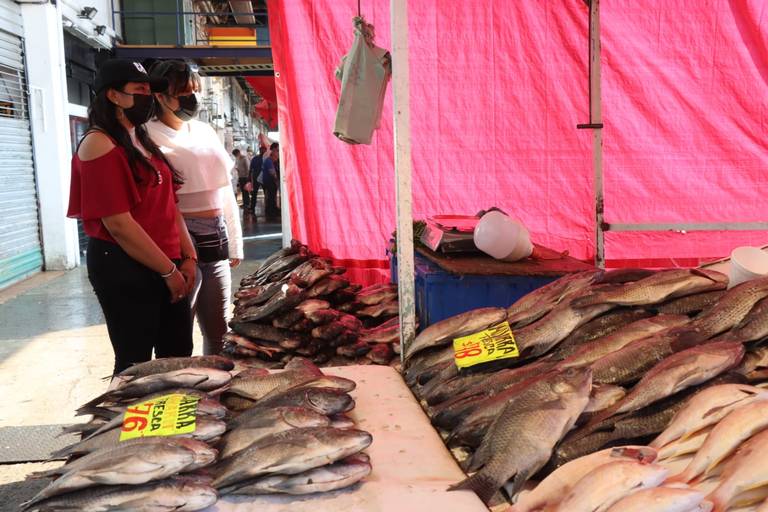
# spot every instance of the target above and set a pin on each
(168, 415)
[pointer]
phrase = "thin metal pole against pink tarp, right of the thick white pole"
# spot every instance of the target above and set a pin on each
(596, 119)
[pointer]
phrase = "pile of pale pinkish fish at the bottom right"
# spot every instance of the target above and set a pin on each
(719, 438)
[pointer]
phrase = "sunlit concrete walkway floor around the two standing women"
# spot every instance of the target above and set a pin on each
(54, 351)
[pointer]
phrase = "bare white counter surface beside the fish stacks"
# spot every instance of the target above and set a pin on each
(412, 468)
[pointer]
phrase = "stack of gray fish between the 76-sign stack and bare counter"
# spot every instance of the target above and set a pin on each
(290, 434)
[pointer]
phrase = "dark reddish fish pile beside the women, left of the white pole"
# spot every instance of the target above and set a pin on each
(298, 304)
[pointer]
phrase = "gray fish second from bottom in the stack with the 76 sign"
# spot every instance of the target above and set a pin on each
(203, 455)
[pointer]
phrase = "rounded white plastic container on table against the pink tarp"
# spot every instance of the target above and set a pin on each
(502, 237)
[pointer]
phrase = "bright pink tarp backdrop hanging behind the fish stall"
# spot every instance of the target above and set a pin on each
(497, 89)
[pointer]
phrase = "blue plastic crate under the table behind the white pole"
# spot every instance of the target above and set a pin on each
(440, 294)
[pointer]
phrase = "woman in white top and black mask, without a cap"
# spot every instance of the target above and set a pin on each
(206, 200)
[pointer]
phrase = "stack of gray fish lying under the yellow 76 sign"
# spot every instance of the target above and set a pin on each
(142, 473)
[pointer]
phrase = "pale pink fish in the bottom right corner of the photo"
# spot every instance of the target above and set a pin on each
(745, 471)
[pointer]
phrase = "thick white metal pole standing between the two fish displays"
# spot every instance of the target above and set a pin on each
(402, 132)
